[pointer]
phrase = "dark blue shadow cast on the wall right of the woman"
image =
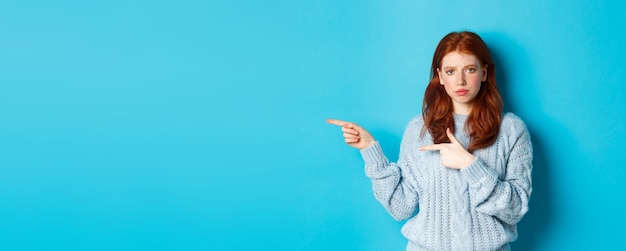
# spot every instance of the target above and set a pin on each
(510, 58)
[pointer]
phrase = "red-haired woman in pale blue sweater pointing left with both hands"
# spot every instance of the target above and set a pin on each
(464, 166)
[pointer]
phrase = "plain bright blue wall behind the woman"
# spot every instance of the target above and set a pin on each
(195, 125)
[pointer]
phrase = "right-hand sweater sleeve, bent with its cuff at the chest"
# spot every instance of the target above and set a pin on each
(507, 199)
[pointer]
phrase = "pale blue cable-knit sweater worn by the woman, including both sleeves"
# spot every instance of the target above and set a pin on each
(475, 208)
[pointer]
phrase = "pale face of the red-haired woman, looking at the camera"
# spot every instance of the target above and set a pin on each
(461, 75)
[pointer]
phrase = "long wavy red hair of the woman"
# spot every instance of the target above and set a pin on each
(483, 122)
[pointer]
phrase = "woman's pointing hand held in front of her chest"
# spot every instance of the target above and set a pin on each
(453, 154)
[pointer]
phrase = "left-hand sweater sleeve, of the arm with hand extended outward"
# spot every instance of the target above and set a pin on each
(394, 186)
